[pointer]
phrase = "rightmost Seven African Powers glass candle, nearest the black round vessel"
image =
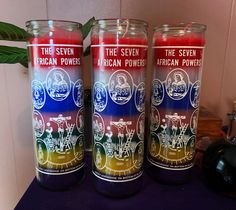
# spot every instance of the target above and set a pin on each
(177, 69)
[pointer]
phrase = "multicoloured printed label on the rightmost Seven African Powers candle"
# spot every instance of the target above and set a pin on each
(174, 106)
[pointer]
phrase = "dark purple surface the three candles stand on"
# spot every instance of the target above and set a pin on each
(153, 195)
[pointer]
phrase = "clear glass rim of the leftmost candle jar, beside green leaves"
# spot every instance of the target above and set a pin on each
(50, 23)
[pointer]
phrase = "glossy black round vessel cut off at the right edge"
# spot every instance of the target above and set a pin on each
(219, 167)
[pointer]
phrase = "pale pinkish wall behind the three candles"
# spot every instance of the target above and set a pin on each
(218, 87)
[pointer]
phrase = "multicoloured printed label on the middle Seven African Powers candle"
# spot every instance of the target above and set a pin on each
(119, 111)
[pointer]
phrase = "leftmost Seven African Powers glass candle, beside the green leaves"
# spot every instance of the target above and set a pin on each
(55, 51)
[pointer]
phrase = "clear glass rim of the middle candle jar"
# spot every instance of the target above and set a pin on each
(120, 21)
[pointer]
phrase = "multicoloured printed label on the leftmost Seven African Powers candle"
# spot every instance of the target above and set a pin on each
(57, 95)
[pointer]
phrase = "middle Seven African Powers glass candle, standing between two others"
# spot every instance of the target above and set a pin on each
(119, 51)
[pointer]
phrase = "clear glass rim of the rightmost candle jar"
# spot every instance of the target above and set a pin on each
(192, 27)
